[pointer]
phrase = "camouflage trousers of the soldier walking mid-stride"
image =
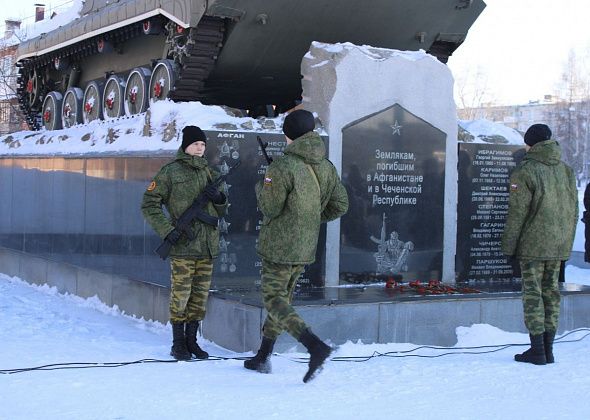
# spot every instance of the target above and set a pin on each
(278, 284)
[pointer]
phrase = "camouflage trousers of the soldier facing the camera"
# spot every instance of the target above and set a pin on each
(190, 283)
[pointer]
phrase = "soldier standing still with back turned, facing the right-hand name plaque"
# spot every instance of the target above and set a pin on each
(539, 232)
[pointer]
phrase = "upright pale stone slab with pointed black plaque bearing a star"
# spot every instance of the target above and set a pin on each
(392, 126)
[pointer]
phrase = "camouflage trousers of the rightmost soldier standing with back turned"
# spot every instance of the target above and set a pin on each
(540, 295)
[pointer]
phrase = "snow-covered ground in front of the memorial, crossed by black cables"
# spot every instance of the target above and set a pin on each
(38, 326)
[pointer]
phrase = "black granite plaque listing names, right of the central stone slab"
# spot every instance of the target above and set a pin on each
(484, 175)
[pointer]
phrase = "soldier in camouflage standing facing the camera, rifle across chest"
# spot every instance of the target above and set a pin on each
(176, 186)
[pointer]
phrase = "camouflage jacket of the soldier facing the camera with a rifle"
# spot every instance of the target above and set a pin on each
(176, 186)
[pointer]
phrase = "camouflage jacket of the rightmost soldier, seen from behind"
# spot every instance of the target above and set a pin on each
(543, 207)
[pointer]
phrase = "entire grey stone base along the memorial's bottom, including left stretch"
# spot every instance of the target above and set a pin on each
(369, 313)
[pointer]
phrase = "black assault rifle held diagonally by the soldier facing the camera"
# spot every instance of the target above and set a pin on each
(194, 212)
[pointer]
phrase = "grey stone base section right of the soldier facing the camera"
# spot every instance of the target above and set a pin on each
(376, 314)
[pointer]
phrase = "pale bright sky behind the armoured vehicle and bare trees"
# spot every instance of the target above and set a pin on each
(517, 47)
